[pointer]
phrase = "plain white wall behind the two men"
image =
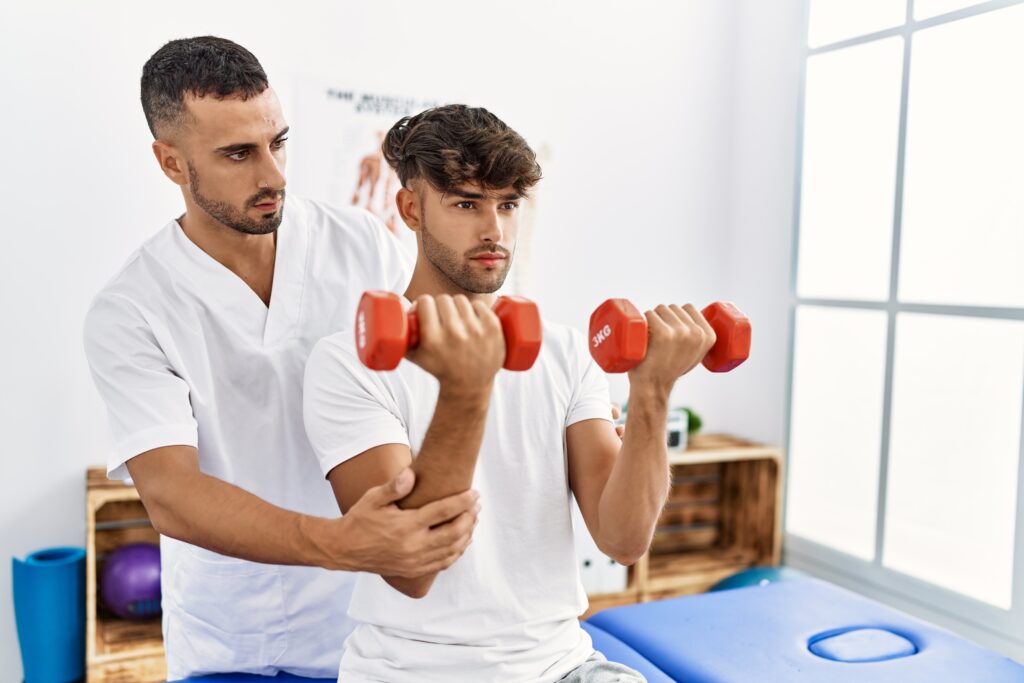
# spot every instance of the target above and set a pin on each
(658, 115)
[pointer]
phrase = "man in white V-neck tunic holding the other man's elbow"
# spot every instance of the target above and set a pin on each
(198, 348)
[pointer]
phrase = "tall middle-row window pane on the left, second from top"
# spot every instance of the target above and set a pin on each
(851, 126)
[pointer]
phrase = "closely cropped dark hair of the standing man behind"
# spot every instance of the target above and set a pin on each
(198, 67)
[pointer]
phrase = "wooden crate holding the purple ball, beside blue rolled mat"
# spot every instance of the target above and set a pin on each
(117, 651)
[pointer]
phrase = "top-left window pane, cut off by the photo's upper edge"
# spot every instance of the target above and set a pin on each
(833, 21)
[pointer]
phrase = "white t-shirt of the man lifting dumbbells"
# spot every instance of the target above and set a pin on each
(508, 610)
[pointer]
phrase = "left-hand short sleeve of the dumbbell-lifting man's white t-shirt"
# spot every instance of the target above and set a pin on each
(347, 408)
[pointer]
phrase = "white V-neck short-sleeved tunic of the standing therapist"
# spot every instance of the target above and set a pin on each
(185, 353)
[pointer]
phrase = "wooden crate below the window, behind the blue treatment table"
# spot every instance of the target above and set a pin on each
(723, 516)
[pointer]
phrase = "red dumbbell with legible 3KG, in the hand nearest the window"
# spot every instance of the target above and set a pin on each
(619, 336)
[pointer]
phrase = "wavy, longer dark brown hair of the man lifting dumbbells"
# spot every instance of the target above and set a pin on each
(455, 144)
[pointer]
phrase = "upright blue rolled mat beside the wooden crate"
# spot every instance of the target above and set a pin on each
(50, 612)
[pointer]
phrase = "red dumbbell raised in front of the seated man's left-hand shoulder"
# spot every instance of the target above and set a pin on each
(385, 331)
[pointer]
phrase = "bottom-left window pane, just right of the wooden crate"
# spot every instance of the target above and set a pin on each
(836, 428)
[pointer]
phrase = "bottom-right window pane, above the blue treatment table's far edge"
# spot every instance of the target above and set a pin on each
(955, 446)
